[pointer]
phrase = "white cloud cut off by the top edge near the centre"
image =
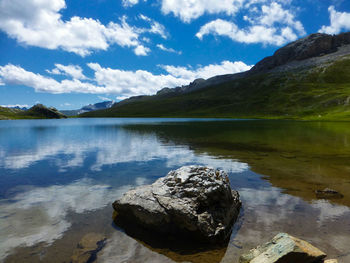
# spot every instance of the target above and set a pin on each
(189, 10)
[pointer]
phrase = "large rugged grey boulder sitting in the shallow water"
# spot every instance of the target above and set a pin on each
(193, 201)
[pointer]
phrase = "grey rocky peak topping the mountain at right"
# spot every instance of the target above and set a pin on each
(311, 46)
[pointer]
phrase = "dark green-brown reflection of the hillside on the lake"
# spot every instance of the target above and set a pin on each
(299, 157)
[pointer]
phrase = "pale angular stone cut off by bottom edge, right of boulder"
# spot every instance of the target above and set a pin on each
(284, 248)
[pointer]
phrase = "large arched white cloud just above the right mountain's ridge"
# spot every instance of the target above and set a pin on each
(274, 26)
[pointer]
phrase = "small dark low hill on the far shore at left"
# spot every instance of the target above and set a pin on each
(38, 111)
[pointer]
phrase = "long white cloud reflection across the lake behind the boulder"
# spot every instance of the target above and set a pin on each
(110, 145)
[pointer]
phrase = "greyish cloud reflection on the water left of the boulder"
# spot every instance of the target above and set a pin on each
(39, 215)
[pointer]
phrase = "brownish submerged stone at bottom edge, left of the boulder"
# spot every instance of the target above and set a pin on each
(87, 248)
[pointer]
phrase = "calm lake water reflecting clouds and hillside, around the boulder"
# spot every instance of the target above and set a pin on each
(58, 179)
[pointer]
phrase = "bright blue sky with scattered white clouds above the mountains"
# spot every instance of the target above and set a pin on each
(70, 53)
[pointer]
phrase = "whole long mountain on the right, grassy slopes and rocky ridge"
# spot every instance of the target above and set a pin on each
(306, 79)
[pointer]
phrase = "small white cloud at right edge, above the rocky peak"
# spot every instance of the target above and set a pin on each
(339, 21)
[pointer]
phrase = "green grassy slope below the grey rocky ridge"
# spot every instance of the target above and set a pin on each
(317, 93)
